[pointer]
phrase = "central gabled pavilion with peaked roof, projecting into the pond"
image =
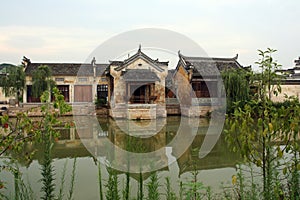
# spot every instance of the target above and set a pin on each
(137, 87)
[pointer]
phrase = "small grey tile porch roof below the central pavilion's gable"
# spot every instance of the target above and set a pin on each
(140, 75)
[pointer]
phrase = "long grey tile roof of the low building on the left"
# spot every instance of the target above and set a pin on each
(68, 69)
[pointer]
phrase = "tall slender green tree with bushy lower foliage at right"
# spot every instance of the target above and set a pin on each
(258, 128)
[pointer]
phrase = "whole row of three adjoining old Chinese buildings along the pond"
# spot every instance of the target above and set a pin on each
(140, 87)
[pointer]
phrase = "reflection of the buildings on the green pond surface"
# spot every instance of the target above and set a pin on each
(166, 140)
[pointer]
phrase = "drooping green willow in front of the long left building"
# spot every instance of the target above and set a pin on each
(41, 80)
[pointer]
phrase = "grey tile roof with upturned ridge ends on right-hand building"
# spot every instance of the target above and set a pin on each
(206, 66)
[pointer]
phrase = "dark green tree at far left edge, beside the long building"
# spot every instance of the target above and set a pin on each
(13, 81)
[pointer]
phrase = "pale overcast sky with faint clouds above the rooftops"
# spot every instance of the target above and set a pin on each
(69, 30)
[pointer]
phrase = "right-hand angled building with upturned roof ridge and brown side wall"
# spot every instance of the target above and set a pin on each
(199, 84)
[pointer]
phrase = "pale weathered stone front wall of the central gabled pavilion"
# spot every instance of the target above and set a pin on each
(119, 102)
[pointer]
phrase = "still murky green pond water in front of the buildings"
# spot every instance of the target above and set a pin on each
(104, 140)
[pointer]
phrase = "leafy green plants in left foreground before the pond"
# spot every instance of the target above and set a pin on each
(23, 129)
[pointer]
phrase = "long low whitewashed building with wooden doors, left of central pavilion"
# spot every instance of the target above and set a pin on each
(78, 82)
